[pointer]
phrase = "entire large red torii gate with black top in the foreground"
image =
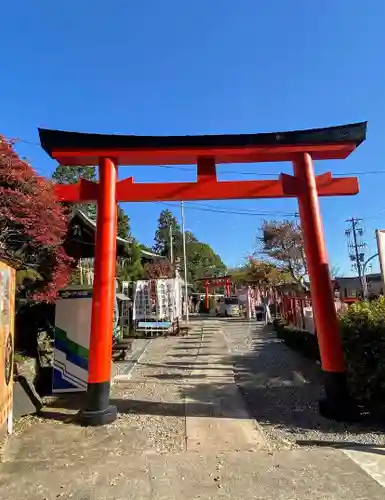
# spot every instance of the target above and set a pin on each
(299, 147)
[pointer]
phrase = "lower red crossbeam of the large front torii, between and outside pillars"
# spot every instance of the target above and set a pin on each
(208, 188)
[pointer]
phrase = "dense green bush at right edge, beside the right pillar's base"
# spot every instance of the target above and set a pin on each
(363, 337)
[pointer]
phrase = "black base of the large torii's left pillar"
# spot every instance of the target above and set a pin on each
(98, 410)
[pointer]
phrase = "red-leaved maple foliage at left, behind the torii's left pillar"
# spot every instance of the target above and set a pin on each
(32, 224)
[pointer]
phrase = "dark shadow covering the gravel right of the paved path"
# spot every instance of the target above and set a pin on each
(282, 389)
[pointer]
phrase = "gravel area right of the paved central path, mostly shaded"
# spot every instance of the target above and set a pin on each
(282, 391)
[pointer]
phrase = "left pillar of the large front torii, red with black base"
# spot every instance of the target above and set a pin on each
(98, 410)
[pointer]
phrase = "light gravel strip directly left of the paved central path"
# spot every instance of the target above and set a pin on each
(152, 401)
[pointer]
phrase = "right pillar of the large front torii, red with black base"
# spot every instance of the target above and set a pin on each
(338, 403)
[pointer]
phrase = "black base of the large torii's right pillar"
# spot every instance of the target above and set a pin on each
(338, 404)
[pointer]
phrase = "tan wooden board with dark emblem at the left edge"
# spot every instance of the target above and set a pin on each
(7, 315)
